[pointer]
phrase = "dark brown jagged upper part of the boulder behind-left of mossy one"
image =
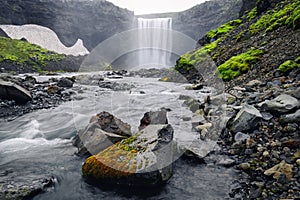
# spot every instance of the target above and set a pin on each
(111, 124)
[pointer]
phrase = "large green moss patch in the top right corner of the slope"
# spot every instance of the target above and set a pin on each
(289, 15)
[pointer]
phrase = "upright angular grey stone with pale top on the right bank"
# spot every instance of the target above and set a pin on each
(246, 119)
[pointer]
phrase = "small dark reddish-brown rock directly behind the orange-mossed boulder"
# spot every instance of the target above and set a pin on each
(153, 117)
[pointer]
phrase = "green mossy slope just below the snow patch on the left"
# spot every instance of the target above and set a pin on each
(22, 52)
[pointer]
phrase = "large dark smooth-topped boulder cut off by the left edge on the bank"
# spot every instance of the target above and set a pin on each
(12, 91)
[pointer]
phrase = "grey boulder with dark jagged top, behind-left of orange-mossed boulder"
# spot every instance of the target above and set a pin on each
(103, 131)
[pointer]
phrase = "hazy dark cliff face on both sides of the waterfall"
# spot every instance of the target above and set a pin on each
(96, 20)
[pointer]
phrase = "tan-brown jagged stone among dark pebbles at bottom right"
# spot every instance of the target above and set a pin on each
(281, 168)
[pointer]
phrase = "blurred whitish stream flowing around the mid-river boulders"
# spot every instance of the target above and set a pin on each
(39, 144)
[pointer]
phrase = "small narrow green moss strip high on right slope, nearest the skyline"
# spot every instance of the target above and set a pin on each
(224, 29)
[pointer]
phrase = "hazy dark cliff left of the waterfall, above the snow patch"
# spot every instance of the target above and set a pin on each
(92, 21)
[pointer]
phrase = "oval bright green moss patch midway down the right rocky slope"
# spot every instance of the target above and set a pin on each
(239, 64)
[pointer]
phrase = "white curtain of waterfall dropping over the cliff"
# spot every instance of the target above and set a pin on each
(155, 42)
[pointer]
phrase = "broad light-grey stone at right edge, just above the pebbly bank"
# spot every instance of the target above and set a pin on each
(281, 104)
